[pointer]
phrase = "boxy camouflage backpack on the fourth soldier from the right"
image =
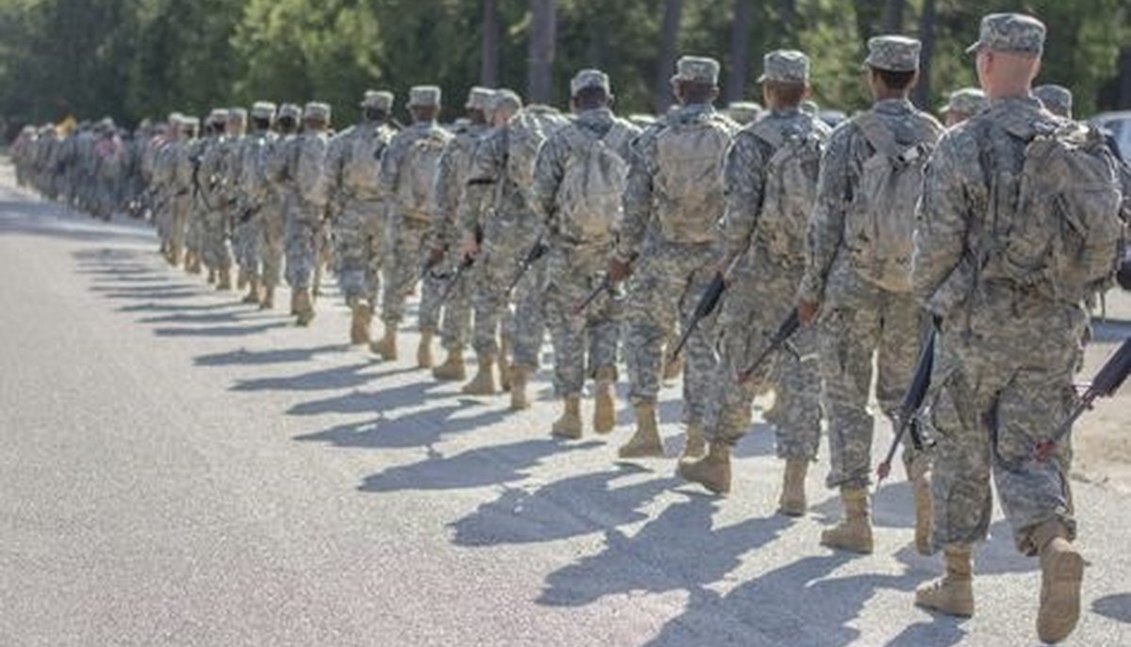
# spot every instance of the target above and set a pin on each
(692, 157)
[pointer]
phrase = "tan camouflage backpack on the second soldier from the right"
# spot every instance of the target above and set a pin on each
(880, 223)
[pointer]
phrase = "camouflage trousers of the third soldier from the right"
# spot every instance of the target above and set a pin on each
(758, 299)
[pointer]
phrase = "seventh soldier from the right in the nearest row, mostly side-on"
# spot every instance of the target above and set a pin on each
(455, 166)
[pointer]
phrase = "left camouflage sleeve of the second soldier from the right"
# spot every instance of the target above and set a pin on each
(827, 225)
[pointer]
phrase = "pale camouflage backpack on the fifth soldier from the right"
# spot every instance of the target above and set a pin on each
(590, 197)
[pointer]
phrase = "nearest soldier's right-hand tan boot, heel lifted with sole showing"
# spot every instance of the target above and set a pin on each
(1061, 574)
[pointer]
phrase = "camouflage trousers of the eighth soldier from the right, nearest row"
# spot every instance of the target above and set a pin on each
(404, 271)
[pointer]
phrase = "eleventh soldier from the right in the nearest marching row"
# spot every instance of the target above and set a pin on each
(278, 165)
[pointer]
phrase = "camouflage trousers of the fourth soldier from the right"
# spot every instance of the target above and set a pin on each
(666, 288)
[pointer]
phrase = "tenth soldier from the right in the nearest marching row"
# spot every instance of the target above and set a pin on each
(307, 175)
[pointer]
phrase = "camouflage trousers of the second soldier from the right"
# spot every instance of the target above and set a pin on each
(862, 323)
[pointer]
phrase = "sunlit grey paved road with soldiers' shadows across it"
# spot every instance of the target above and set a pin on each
(180, 470)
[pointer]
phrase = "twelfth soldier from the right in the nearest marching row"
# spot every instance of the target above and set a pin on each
(252, 195)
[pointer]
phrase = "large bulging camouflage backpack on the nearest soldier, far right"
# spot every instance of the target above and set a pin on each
(1065, 236)
